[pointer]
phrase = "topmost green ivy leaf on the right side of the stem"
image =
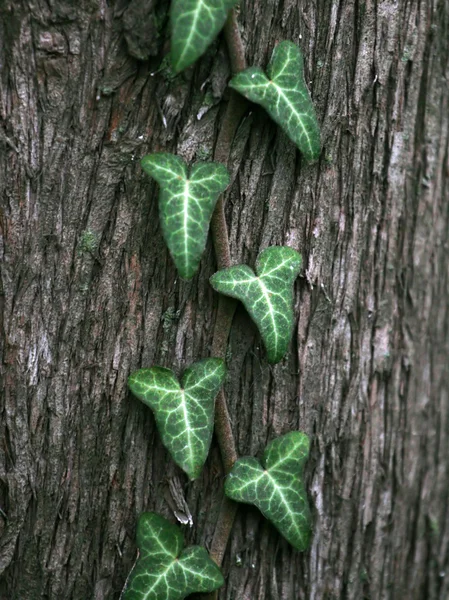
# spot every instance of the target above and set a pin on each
(285, 96)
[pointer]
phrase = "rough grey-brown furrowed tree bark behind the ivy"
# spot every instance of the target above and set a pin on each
(89, 293)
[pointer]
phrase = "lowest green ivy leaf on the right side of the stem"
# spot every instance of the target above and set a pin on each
(276, 486)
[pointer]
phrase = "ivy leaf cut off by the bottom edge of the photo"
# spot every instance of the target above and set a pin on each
(164, 571)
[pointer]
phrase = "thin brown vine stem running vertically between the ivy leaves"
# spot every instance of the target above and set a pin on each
(226, 306)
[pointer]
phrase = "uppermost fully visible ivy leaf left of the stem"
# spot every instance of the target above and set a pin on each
(186, 203)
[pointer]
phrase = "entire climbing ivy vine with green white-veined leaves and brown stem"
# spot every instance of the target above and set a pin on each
(191, 201)
